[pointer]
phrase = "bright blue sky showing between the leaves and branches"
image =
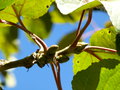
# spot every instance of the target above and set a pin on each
(42, 78)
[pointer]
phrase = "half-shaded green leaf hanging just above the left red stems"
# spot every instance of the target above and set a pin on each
(41, 26)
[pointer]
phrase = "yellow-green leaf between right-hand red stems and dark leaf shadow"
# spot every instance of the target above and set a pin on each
(83, 60)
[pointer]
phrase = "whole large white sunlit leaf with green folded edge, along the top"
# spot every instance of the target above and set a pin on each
(68, 6)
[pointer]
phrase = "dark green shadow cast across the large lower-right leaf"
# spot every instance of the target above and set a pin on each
(89, 79)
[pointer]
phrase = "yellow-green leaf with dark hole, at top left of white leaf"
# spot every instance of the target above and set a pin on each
(32, 8)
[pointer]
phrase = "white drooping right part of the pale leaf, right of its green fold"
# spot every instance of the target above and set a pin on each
(111, 7)
